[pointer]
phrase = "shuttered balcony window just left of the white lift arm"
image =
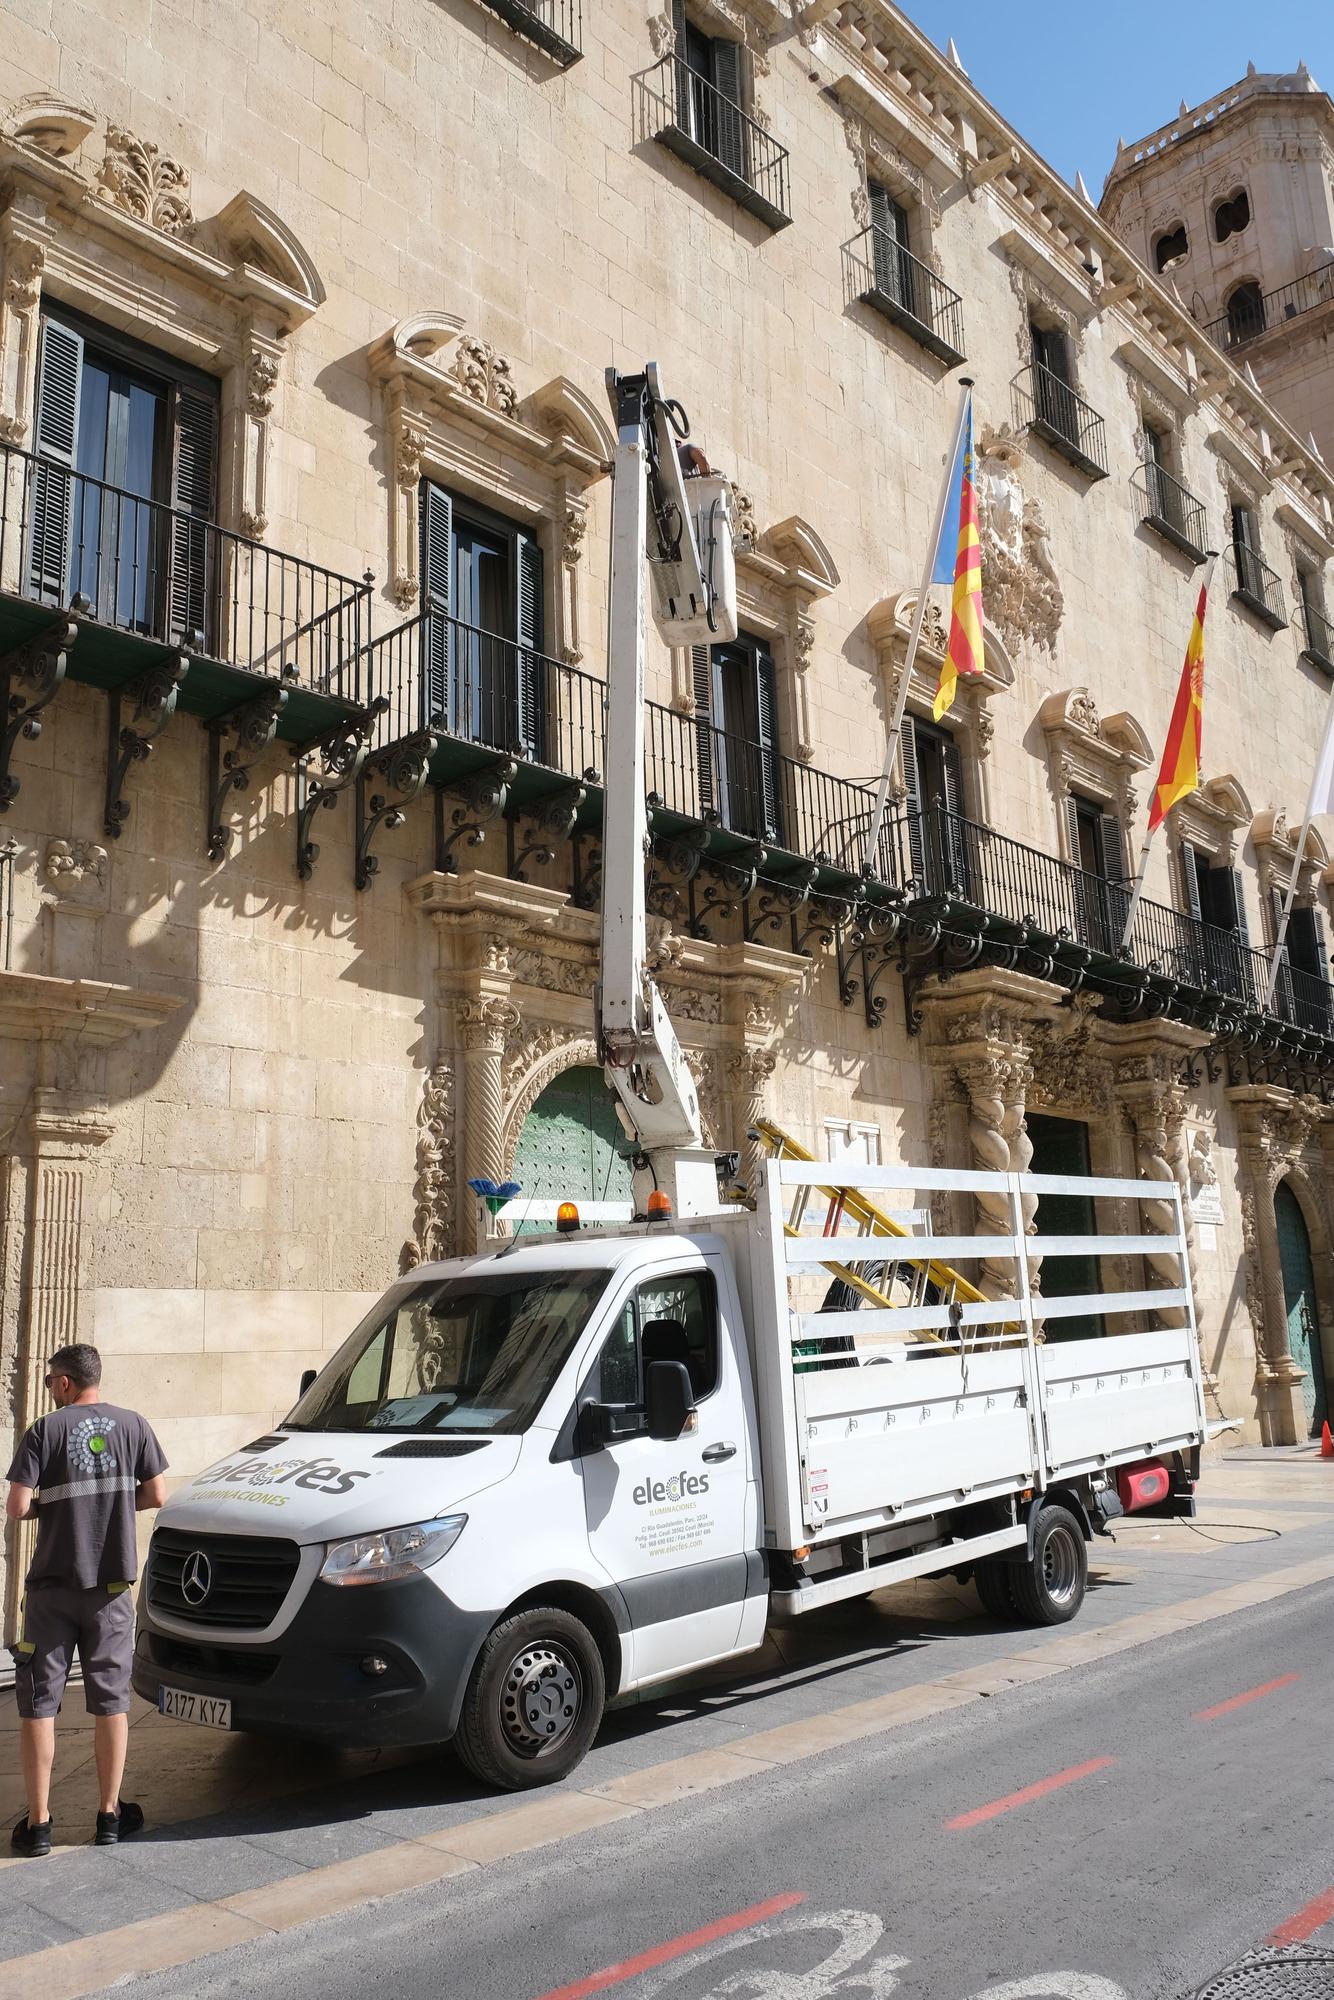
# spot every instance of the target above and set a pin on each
(483, 667)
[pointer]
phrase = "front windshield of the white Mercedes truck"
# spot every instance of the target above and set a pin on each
(471, 1353)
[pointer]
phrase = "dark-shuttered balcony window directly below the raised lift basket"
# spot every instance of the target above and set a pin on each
(737, 737)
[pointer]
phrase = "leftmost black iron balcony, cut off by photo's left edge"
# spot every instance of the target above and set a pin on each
(145, 583)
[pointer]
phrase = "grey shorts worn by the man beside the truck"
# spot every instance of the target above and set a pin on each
(55, 1625)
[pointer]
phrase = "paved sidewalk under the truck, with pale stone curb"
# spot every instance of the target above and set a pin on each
(261, 1827)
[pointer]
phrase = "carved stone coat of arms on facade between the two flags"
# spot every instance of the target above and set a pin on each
(1021, 589)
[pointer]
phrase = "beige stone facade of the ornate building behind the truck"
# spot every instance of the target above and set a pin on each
(269, 1001)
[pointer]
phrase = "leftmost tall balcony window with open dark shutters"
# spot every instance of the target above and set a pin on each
(127, 517)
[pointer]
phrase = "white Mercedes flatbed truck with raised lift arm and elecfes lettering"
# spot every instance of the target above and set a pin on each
(577, 1467)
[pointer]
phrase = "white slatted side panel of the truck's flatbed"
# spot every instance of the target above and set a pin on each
(905, 1409)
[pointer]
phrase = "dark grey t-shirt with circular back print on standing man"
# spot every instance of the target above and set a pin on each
(87, 1463)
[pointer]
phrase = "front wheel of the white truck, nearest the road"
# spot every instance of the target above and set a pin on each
(535, 1701)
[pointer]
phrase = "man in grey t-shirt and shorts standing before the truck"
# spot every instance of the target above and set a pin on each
(93, 1467)
